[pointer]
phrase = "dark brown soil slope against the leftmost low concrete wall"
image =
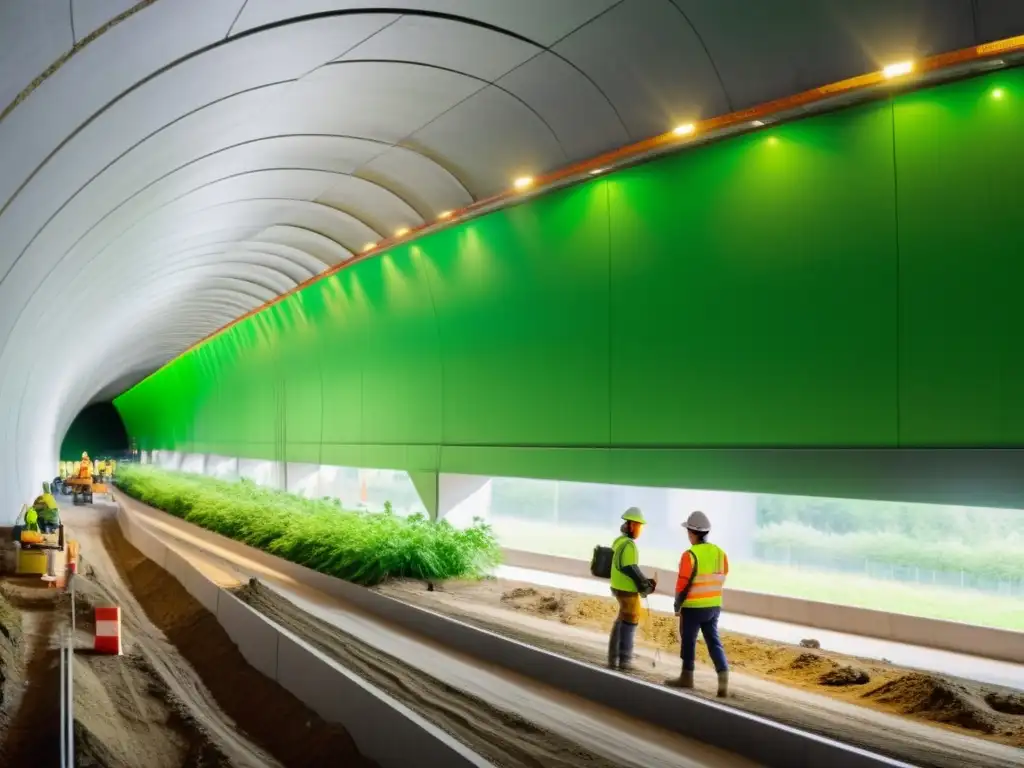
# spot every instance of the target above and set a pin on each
(268, 714)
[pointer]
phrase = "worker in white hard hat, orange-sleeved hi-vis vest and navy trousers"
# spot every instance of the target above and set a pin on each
(703, 570)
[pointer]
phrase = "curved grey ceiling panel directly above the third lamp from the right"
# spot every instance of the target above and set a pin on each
(489, 140)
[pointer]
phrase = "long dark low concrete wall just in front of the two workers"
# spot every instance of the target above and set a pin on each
(766, 743)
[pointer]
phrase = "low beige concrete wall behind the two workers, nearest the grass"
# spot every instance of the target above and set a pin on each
(1004, 646)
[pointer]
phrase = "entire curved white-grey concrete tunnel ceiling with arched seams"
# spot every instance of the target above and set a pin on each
(168, 165)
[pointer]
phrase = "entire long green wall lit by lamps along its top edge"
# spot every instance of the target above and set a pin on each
(844, 281)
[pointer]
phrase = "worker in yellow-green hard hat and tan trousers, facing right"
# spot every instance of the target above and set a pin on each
(628, 585)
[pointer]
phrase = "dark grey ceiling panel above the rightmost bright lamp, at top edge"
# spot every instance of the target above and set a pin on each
(795, 46)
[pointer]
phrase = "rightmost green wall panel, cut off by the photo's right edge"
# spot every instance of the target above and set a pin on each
(961, 163)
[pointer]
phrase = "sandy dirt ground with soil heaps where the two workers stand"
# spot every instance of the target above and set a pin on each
(841, 697)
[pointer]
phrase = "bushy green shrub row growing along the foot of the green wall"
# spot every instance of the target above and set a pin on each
(362, 547)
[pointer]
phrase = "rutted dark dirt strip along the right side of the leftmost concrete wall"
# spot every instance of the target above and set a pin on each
(500, 737)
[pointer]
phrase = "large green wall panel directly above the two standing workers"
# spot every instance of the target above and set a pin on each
(754, 290)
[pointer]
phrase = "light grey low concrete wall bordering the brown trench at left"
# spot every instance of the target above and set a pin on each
(385, 731)
